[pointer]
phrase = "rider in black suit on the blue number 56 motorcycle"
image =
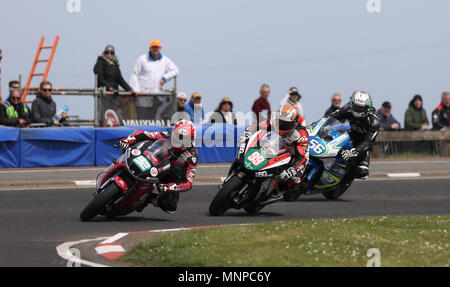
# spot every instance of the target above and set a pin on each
(364, 125)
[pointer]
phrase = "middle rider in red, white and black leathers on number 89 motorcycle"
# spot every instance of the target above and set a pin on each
(289, 124)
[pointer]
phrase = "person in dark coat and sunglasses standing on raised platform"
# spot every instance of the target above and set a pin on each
(108, 71)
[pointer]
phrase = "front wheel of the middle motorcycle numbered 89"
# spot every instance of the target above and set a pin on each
(222, 201)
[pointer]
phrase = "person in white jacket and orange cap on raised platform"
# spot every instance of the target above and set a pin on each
(150, 73)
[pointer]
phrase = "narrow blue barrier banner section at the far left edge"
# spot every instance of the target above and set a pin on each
(9, 147)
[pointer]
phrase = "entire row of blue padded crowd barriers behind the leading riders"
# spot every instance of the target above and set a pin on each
(48, 147)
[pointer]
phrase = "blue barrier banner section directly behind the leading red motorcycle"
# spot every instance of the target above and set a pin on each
(107, 137)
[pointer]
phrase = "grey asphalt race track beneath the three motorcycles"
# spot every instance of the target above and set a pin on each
(34, 222)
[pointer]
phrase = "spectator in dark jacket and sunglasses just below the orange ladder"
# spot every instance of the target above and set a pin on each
(43, 108)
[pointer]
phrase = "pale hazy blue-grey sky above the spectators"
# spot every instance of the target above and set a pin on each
(229, 48)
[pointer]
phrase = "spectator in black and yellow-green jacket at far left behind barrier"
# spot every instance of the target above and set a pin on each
(13, 112)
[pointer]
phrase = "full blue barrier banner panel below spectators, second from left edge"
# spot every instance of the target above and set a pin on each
(57, 147)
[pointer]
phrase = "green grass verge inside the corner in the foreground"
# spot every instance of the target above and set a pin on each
(401, 240)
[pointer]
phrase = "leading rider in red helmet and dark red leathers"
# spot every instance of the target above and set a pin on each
(183, 162)
